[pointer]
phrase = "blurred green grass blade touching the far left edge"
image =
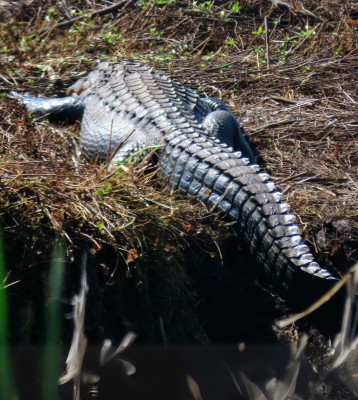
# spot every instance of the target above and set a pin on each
(7, 390)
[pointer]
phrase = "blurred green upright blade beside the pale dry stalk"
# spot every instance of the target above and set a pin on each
(52, 353)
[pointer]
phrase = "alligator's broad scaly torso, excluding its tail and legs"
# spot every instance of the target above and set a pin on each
(128, 108)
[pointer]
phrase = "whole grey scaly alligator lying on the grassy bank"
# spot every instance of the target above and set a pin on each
(127, 107)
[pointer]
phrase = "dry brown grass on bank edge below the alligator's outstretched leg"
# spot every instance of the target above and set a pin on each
(46, 187)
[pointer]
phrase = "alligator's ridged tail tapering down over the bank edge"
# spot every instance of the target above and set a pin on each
(225, 182)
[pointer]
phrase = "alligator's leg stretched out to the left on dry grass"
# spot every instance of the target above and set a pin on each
(69, 106)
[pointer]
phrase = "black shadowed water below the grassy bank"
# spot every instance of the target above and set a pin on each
(204, 325)
